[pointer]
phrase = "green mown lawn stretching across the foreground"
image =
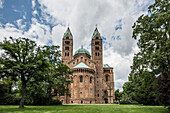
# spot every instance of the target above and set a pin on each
(84, 109)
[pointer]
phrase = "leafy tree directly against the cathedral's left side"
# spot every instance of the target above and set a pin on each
(59, 75)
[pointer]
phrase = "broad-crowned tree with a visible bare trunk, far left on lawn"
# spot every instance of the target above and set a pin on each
(22, 60)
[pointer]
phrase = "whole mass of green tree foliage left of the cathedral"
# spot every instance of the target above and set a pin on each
(35, 70)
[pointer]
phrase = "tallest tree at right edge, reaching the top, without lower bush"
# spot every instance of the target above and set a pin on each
(152, 32)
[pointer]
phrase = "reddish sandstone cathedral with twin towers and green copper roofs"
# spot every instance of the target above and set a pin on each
(92, 82)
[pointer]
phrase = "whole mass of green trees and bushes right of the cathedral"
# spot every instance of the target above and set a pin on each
(152, 32)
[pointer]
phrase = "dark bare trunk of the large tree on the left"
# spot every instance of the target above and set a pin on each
(23, 92)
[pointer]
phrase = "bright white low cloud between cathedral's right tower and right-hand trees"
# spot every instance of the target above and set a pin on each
(121, 65)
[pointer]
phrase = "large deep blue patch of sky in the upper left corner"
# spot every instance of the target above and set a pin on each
(17, 9)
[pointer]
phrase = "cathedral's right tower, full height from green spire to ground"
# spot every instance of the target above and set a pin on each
(97, 57)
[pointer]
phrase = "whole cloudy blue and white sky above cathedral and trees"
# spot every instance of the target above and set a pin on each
(45, 22)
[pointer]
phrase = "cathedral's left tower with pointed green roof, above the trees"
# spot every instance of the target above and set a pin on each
(67, 46)
